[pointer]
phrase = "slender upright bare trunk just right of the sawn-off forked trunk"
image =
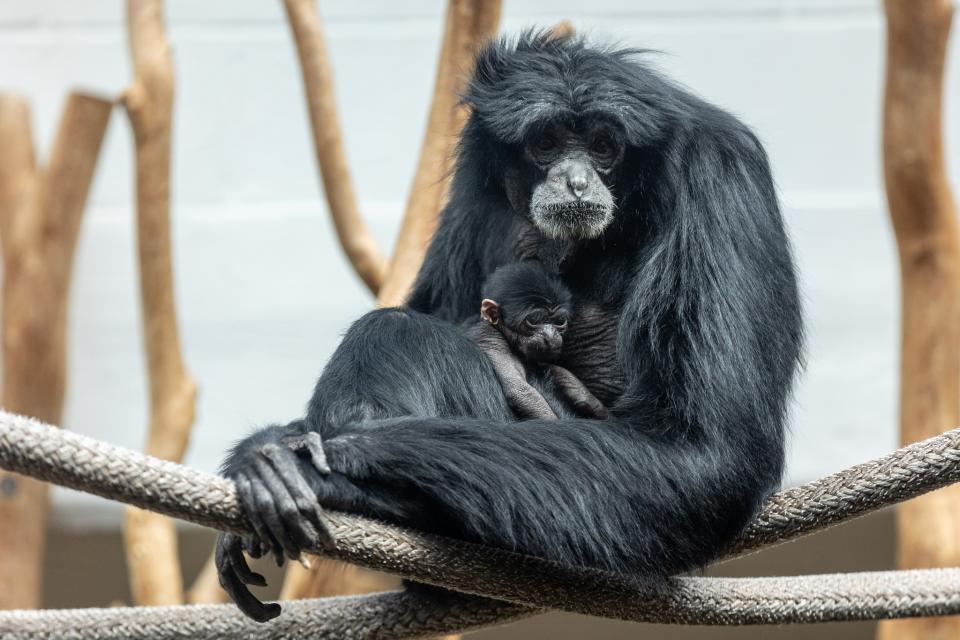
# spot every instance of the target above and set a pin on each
(150, 539)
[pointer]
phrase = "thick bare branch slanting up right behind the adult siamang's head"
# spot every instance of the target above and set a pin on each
(468, 24)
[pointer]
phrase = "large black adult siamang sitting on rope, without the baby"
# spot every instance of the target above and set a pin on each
(686, 325)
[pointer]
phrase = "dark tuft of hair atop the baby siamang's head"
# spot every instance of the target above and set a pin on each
(520, 286)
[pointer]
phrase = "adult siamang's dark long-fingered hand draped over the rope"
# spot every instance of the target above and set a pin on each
(284, 512)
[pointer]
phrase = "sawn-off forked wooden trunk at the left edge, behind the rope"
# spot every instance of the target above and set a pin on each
(40, 216)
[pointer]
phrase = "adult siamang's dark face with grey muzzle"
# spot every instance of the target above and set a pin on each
(568, 178)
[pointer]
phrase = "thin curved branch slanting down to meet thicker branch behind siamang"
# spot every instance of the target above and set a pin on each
(355, 238)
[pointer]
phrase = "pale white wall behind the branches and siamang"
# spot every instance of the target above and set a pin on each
(263, 291)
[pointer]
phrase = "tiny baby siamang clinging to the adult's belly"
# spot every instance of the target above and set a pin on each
(524, 314)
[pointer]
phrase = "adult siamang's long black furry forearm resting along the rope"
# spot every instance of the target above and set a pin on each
(547, 488)
